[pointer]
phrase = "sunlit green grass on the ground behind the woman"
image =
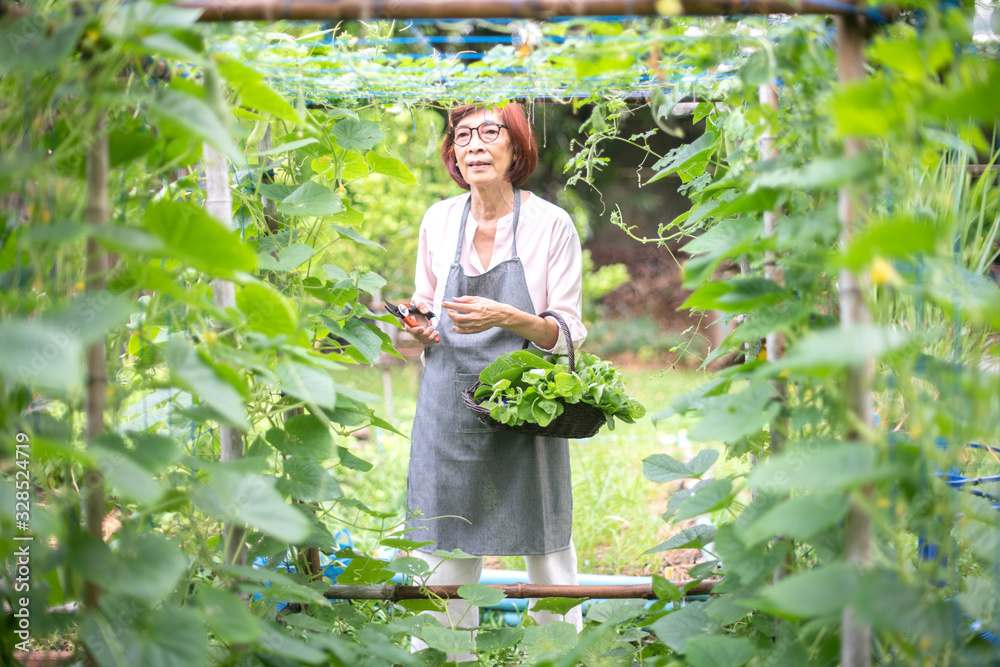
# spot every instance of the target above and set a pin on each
(616, 510)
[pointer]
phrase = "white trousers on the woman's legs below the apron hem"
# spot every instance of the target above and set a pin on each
(555, 568)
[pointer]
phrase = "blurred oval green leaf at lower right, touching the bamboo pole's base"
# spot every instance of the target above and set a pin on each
(822, 591)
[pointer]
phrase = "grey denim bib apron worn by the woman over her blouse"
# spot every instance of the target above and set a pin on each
(481, 490)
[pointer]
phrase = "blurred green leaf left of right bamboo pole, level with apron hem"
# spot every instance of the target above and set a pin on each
(799, 518)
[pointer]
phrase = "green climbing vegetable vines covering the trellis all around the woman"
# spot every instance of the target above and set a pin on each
(101, 165)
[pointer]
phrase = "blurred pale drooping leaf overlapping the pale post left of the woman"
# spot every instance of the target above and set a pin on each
(192, 372)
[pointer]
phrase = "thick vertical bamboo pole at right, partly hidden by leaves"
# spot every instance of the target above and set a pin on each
(855, 638)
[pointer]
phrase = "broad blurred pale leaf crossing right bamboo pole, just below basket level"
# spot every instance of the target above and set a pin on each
(816, 464)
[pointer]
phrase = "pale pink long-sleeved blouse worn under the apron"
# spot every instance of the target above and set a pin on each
(547, 243)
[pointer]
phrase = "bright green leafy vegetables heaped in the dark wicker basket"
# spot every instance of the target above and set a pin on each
(525, 386)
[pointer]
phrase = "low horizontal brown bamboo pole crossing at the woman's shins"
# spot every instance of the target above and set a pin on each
(395, 592)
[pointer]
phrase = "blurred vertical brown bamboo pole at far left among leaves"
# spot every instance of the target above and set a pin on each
(98, 213)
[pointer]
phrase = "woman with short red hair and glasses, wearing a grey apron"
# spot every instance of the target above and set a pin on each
(488, 261)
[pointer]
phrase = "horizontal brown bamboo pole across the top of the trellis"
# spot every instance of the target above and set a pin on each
(330, 10)
